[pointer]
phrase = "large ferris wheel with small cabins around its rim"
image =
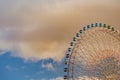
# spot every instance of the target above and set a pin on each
(94, 54)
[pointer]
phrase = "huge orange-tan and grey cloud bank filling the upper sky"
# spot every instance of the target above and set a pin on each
(35, 30)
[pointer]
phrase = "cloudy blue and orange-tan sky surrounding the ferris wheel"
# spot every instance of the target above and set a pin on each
(35, 34)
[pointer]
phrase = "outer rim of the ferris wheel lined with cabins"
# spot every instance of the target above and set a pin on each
(70, 49)
